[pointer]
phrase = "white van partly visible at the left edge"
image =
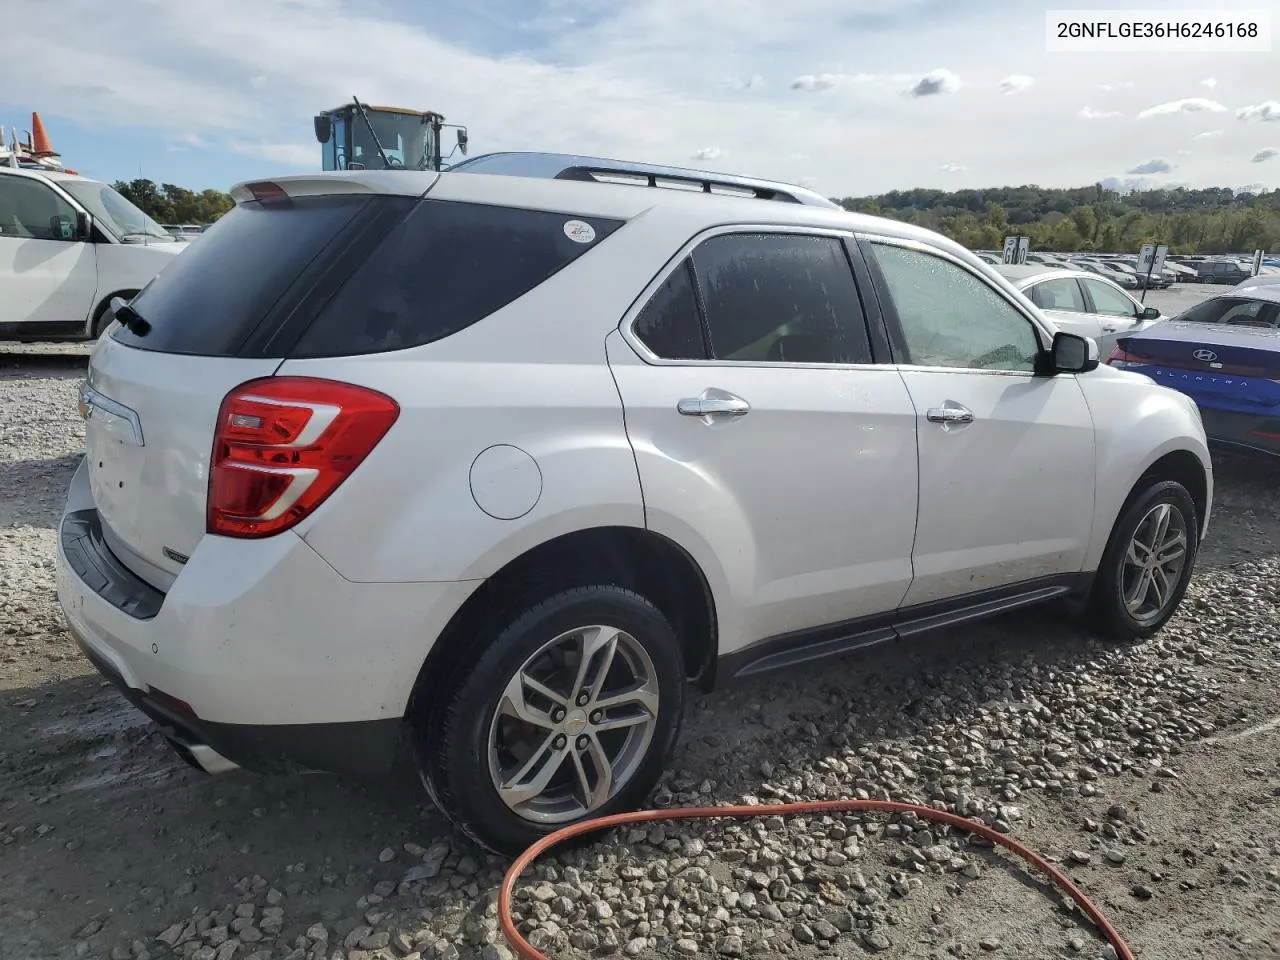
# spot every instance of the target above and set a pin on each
(67, 246)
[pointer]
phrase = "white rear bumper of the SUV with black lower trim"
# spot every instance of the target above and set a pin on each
(260, 651)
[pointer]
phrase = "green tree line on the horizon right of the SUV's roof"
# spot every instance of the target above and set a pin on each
(1214, 221)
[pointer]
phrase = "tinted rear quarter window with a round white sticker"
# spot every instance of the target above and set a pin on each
(446, 267)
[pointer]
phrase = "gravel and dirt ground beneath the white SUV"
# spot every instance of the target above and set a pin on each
(1151, 774)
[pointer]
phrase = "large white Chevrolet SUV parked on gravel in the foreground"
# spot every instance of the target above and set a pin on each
(499, 460)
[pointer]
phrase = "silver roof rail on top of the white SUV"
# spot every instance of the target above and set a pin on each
(595, 170)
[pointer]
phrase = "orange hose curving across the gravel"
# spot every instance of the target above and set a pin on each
(528, 952)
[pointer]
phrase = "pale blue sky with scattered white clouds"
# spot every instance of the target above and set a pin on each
(849, 97)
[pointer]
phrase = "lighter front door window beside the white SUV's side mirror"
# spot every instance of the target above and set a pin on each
(950, 318)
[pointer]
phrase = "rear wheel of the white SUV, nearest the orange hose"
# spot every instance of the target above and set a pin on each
(570, 714)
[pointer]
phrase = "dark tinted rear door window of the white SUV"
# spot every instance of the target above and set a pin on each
(781, 298)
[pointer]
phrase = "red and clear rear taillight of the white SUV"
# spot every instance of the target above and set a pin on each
(284, 445)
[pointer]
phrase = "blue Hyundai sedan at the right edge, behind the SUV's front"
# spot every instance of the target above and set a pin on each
(1226, 355)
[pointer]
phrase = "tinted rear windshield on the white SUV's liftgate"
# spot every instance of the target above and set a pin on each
(213, 295)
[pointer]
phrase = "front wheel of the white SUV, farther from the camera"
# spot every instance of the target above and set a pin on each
(1148, 564)
